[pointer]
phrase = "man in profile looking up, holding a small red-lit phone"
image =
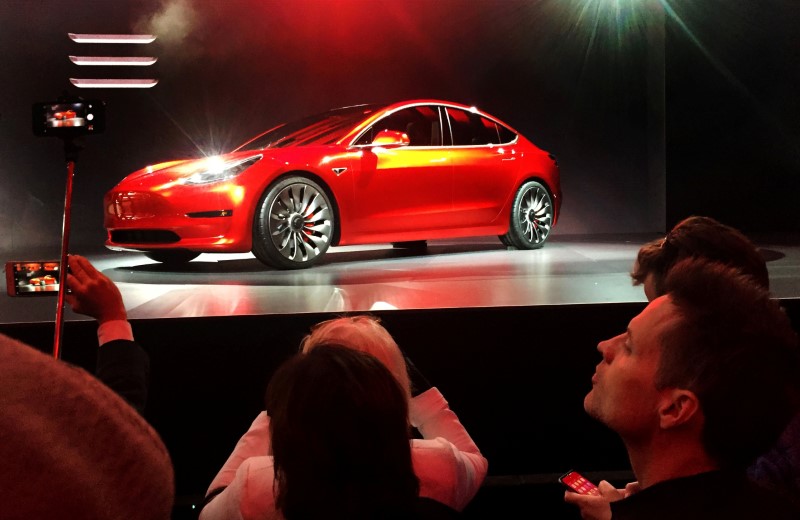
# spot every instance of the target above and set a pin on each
(697, 388)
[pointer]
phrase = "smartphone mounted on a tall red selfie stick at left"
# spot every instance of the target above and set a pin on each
(67, 118)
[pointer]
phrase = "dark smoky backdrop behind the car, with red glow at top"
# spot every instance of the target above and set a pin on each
(656, 110)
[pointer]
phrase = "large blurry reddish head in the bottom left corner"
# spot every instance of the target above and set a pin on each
(71, 448)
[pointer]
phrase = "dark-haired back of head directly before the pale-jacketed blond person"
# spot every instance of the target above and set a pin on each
(340, 437)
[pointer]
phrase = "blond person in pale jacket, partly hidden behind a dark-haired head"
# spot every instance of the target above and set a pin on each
(446, 460)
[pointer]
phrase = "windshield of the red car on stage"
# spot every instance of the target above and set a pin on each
(325, 128)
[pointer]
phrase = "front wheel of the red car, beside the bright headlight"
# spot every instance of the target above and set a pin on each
(294, 224)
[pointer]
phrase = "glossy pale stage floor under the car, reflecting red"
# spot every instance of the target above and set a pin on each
(461, 273)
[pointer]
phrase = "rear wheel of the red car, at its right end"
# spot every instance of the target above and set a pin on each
(531, 217)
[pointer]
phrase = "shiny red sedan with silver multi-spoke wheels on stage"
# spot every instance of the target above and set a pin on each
(400, 173)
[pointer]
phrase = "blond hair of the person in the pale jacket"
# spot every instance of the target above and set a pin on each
(363, 333)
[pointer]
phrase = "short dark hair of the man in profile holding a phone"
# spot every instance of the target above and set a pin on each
(734, 348)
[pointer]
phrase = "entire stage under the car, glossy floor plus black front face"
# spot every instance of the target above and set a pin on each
(509, 337)
